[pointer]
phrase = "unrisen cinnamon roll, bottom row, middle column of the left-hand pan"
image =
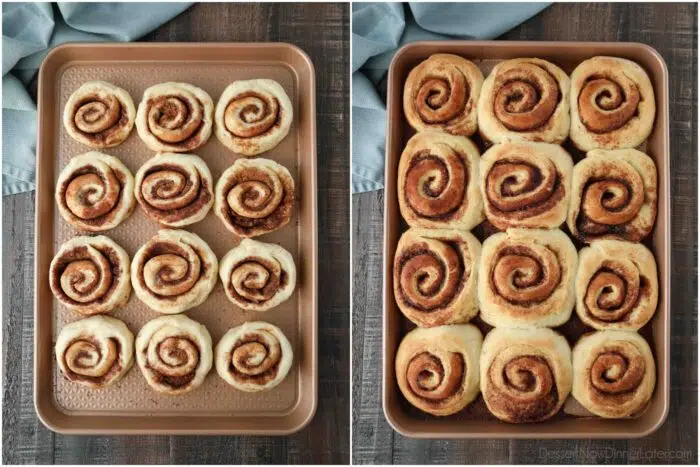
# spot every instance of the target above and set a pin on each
(174, 354)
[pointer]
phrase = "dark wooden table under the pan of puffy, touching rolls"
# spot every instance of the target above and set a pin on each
(672, 30)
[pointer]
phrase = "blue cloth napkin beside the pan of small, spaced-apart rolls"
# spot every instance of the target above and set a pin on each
(29, 31)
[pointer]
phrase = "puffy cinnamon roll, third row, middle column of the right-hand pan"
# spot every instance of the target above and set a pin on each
(526, 277)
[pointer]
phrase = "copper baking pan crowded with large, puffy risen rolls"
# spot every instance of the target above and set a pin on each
(476, 421)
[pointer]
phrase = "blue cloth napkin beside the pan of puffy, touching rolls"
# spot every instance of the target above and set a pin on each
(378, 31)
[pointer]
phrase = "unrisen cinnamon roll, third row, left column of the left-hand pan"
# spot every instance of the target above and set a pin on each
(90, 275)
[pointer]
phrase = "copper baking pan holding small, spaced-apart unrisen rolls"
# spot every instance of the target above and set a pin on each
(214, 408)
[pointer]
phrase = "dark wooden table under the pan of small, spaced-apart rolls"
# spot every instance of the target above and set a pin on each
(322, 30)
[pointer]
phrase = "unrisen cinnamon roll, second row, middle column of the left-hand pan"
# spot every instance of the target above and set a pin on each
(175, 189)
